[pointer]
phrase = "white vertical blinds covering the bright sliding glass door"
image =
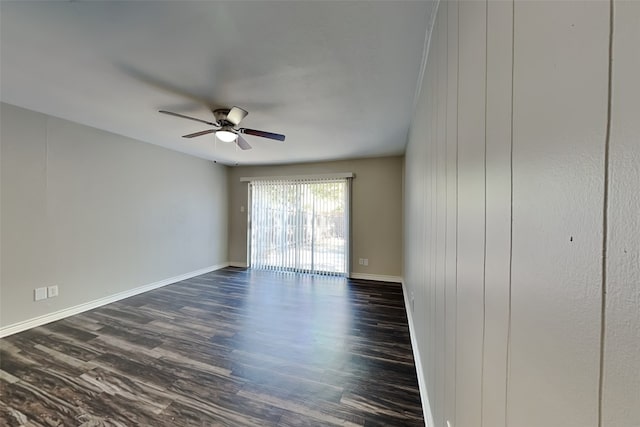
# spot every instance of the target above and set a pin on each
(300, 225)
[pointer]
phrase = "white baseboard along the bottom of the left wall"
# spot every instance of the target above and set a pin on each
(66, 312)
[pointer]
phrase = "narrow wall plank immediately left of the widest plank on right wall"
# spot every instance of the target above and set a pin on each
(498, 210)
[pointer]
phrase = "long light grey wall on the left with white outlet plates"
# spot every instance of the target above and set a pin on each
(98, 214)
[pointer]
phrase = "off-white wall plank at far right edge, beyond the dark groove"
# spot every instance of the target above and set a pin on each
(621, 367)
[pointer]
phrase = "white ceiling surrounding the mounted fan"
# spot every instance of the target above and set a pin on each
(338, 78)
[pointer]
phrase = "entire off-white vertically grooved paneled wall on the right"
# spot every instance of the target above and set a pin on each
(506, 208)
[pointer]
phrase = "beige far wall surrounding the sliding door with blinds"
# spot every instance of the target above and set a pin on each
(376, 209)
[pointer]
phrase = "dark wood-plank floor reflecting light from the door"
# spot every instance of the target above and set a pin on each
(229, 348)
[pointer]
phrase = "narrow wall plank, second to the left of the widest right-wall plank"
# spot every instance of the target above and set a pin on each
(471, 206)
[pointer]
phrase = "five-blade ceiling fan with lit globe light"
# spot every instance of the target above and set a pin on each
(226, 127)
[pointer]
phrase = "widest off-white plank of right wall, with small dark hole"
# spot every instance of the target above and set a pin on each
(560, 112)
